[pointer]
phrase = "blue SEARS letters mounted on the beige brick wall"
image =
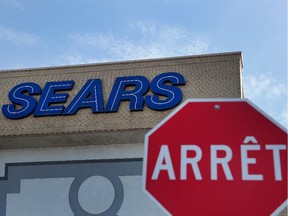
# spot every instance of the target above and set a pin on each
(132, 88)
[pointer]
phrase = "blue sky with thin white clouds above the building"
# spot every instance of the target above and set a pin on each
(44, 33)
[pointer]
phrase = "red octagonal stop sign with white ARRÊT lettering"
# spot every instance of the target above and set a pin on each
(217, 157)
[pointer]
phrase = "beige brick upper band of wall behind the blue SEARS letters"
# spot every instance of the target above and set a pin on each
(207, 76)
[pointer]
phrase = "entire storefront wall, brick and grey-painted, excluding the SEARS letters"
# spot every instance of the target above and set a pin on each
(91, 164)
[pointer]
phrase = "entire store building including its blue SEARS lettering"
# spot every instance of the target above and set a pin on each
(71, 138)
